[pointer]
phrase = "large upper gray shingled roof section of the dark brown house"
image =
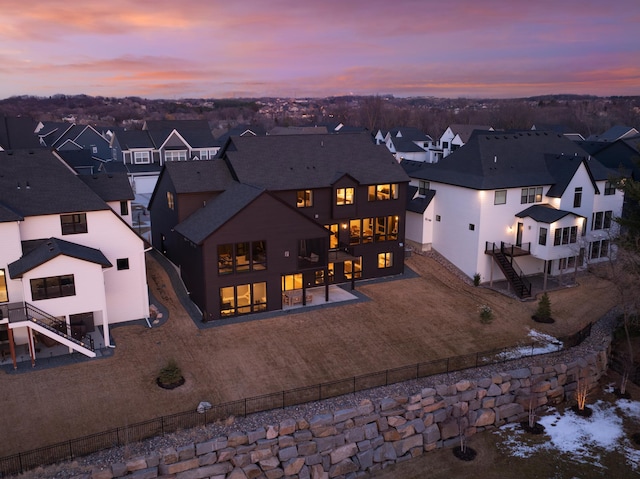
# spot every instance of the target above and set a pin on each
(310, 161)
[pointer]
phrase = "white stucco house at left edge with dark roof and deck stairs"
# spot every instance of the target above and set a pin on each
(70, 264)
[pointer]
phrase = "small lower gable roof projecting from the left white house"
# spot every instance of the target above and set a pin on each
(38, 252)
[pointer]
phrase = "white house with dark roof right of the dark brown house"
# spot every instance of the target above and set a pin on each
(534, 199)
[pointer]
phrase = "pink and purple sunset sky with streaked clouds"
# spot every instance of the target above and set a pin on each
(293, 48)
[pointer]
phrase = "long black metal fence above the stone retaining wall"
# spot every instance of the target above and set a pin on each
(122, 436)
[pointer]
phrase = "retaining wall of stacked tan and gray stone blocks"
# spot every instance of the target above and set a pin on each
(353, 442)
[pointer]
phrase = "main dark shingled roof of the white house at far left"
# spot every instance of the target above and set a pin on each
(37, 183)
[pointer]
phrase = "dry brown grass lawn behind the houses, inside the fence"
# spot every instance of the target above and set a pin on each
(407, 321)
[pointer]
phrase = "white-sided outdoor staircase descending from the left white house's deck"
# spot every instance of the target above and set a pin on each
(25, 314)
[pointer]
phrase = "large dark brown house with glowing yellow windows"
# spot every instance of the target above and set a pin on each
(277, 215)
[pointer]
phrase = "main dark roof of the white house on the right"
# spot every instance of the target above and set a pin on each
(494, 160)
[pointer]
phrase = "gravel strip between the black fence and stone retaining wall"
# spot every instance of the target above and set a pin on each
(82, 467)
